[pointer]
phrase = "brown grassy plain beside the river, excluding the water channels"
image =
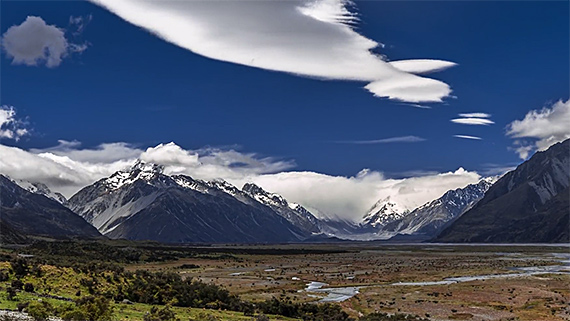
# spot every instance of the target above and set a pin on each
(375, 266)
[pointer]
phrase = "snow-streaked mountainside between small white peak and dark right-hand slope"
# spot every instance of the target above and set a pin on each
(430, 217)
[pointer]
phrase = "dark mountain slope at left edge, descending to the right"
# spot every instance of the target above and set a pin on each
(34, 214)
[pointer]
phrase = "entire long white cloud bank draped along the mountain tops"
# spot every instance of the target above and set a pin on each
(67, 168)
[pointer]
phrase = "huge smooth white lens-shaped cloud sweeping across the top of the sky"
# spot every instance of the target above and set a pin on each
(303, 37)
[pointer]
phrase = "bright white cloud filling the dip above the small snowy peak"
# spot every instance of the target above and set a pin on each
(350, 197)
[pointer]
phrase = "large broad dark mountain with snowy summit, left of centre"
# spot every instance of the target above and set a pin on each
(145, 204)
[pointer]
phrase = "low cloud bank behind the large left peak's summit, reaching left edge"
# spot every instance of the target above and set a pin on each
(67, 167)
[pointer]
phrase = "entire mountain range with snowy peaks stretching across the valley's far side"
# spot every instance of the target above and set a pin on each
(529, 204)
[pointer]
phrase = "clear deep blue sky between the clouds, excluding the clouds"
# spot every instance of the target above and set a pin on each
(131, 86)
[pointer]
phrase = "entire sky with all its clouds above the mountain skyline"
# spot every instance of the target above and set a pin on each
(330, 103)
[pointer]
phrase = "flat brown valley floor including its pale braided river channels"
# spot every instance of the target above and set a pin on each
(367, 277)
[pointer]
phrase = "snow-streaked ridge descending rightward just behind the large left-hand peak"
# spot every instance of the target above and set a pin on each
(294, 213)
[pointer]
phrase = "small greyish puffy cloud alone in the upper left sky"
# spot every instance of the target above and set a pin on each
(35, 43)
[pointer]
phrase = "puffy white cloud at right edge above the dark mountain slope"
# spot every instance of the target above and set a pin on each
(544, 128)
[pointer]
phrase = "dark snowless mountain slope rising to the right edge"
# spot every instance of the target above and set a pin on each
(529, 204)
